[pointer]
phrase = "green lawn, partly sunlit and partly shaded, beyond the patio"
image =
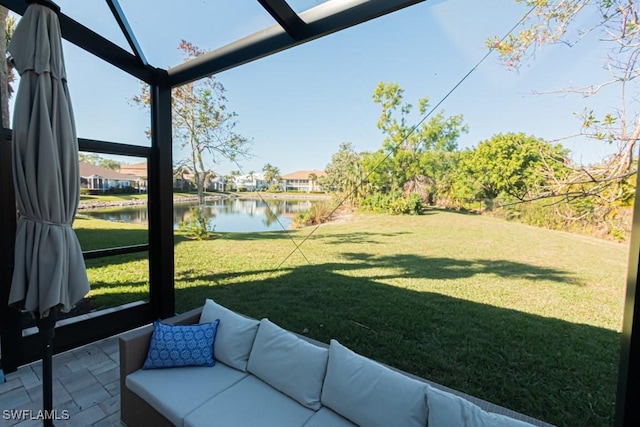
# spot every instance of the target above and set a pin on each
(524, 317)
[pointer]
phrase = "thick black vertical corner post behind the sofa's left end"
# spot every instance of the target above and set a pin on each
(160, 206)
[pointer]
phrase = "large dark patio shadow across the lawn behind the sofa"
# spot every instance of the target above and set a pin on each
(544, 367)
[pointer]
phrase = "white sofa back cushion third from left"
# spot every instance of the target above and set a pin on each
(370, 394)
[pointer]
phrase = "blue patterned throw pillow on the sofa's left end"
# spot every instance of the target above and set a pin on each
(181, 345)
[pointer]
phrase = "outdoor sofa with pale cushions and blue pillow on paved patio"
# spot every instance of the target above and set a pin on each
(266, 376)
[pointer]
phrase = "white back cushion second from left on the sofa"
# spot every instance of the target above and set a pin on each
(289, 364)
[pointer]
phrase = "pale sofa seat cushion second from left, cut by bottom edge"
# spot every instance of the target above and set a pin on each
(249, 402)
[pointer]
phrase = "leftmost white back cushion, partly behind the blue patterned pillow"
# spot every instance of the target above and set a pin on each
(234, 337)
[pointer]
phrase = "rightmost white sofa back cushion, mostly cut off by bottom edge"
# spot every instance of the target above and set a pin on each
(447, 409)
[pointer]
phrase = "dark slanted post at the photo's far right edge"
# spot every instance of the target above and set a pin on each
(627, 409)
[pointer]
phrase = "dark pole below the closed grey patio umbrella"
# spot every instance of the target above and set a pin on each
(46, 327)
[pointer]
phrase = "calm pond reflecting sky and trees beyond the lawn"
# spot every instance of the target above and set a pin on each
(224, 215)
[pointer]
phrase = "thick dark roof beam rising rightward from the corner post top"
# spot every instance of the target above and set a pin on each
(320, 21)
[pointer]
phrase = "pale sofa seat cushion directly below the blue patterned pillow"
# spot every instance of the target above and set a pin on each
(175, 392)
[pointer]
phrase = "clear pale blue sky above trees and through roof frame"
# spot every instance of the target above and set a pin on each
(300, 104)
